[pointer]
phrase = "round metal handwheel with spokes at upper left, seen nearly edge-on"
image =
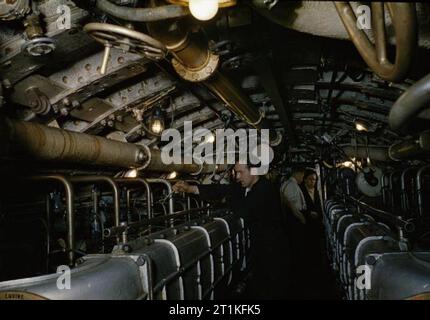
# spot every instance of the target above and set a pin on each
(113, 36)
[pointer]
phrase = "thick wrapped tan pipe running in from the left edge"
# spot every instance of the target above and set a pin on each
(28, 140)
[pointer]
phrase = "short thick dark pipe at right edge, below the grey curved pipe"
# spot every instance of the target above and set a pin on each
(411, 149)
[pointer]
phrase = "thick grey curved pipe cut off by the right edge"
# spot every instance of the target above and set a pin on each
(409, 105)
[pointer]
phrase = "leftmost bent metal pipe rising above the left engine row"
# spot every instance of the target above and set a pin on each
(69, 211)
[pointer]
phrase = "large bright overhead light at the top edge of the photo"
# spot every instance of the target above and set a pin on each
(204, 9)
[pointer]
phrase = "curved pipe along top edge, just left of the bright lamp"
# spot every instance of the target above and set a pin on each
(143, 14)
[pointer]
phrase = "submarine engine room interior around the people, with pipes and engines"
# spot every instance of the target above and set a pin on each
(89, 88)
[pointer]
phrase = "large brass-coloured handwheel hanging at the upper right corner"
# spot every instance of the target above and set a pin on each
(404, 21)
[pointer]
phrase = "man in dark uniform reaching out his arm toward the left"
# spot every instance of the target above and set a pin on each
(257, 201)
